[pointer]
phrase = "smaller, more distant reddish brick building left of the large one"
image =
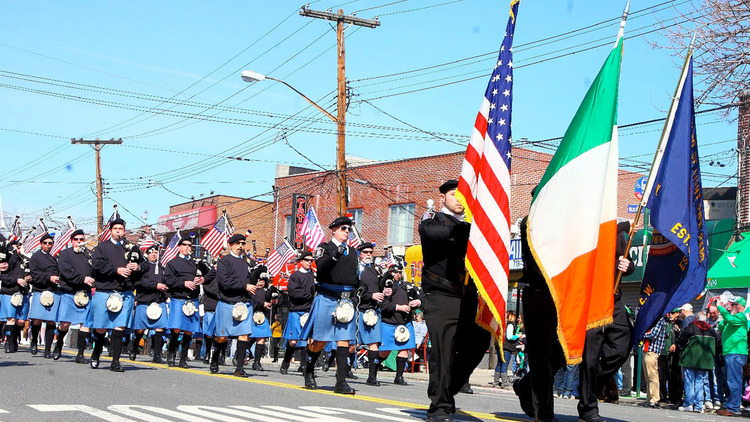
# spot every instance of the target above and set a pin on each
(199, 216)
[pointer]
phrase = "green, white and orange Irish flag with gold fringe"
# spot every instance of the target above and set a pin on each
(572, 223)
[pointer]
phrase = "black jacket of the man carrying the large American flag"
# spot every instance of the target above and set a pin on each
(444, 240)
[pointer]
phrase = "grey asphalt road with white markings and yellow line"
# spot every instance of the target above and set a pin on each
(38, 389)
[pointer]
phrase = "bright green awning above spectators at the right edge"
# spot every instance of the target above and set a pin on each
(732, 269)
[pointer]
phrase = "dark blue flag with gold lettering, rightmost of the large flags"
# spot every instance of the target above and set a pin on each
(677, 263)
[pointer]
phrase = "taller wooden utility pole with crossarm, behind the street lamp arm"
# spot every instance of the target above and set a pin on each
(340, 20)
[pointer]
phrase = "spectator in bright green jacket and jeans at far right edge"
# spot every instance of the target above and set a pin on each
(733, 329)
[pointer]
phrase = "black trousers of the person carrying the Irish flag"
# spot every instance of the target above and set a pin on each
(543, 350)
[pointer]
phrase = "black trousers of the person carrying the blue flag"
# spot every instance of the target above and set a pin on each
(604, 352)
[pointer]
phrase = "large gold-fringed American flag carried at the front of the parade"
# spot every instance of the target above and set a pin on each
(484, 186)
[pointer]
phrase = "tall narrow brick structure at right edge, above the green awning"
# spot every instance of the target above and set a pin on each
(743, 163)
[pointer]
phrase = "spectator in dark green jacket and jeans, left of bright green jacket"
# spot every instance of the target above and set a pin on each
(698, 343)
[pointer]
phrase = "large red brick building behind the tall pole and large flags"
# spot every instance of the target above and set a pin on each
(389, 198)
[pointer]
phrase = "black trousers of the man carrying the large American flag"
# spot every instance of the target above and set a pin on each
(458, 346)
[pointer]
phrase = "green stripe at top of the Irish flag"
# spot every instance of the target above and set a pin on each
(592, 125)
